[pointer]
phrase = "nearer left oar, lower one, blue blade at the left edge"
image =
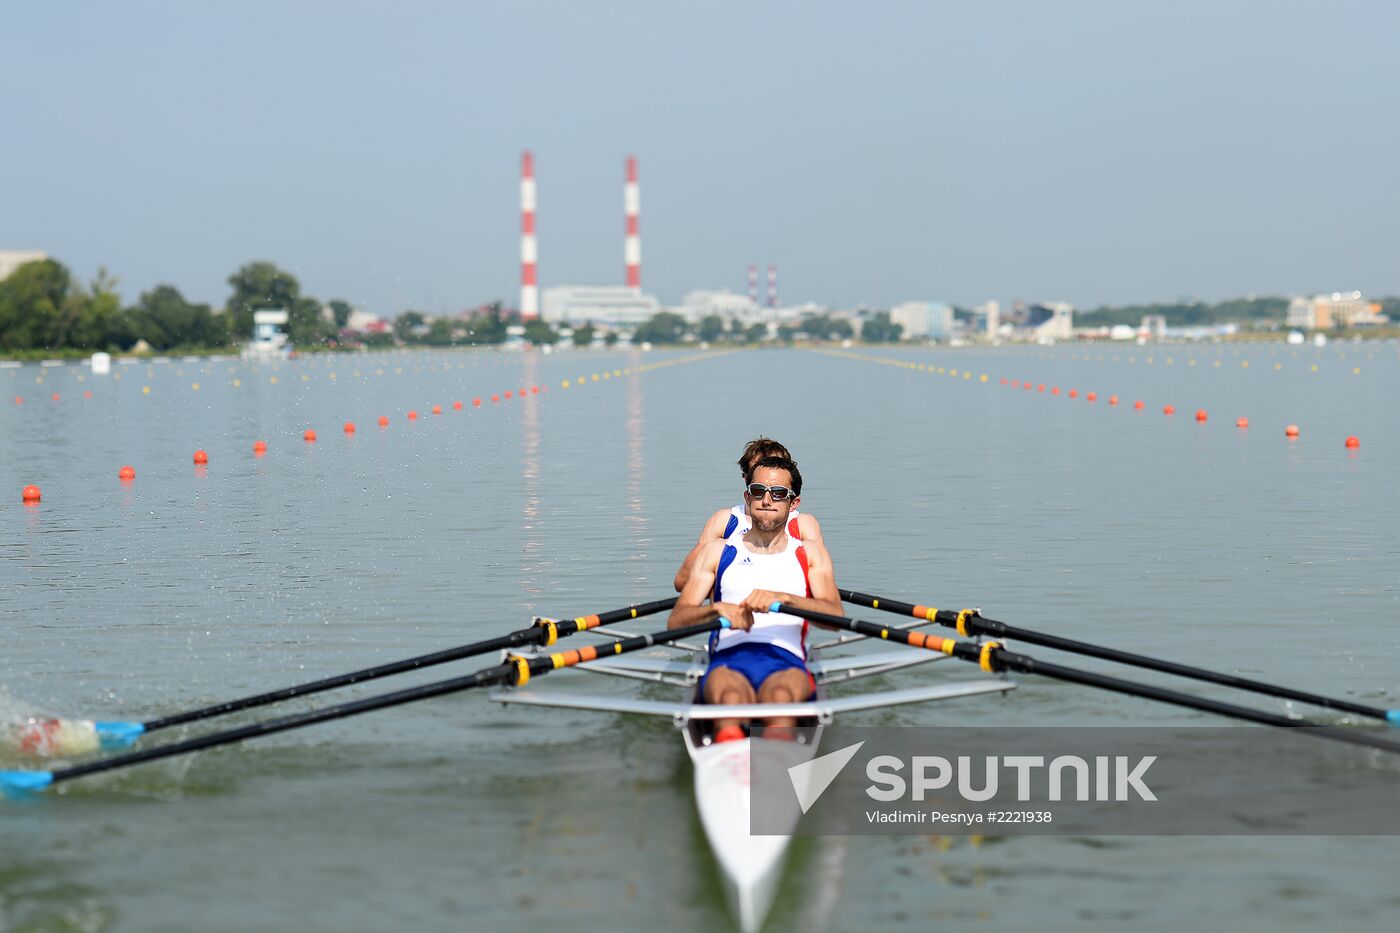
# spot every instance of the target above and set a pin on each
(514, 672)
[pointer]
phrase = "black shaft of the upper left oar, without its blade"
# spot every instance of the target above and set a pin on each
(534, 635)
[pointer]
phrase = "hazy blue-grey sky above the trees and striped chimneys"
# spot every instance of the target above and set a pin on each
(1097, 152)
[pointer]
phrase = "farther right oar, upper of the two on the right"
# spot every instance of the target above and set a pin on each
(971, 623)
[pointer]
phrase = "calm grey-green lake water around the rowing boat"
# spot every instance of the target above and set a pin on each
(1237, 550)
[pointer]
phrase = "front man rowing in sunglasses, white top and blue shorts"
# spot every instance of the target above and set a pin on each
(762, 658)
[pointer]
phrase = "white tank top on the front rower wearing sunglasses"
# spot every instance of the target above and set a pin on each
(741, 572)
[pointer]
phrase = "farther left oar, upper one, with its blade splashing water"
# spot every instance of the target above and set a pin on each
(78, 736)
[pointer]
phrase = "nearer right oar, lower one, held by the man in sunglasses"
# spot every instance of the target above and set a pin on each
(995, 659)
